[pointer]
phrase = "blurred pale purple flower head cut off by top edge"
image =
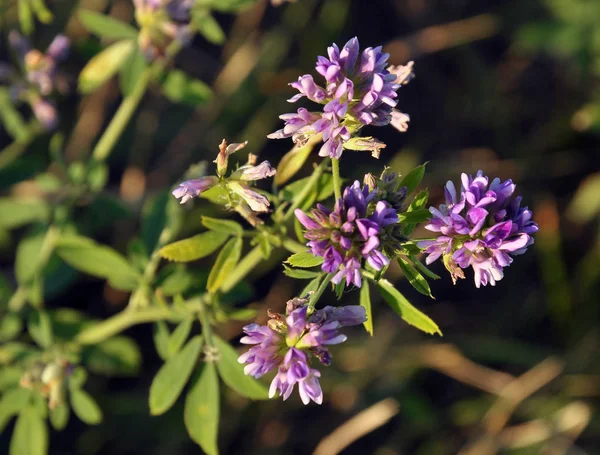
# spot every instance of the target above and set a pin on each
(161, 22)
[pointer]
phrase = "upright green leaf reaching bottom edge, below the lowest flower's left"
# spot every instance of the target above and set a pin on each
(201, 413)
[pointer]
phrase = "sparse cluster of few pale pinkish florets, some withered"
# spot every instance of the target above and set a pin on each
(236, 182)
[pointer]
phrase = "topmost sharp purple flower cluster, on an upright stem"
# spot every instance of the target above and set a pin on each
(359, 91)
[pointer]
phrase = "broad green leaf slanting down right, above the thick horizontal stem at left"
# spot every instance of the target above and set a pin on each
(84, 254)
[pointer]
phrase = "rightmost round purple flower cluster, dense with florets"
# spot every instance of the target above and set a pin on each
(481, 227)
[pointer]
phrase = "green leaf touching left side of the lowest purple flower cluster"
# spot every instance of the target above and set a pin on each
(232, 373)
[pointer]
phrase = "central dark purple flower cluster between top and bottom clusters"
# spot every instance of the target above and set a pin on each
(349, 233)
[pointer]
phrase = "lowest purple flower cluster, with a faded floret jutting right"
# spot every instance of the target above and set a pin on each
(287, 342)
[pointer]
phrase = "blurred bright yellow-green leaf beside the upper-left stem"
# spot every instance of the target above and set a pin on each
(104, 65)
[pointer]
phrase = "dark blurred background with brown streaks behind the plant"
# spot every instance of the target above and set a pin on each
(509, 87)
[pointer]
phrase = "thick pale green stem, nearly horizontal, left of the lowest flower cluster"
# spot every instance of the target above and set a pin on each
(128, 318)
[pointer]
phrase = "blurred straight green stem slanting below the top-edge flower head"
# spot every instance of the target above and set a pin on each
(122, 117)
